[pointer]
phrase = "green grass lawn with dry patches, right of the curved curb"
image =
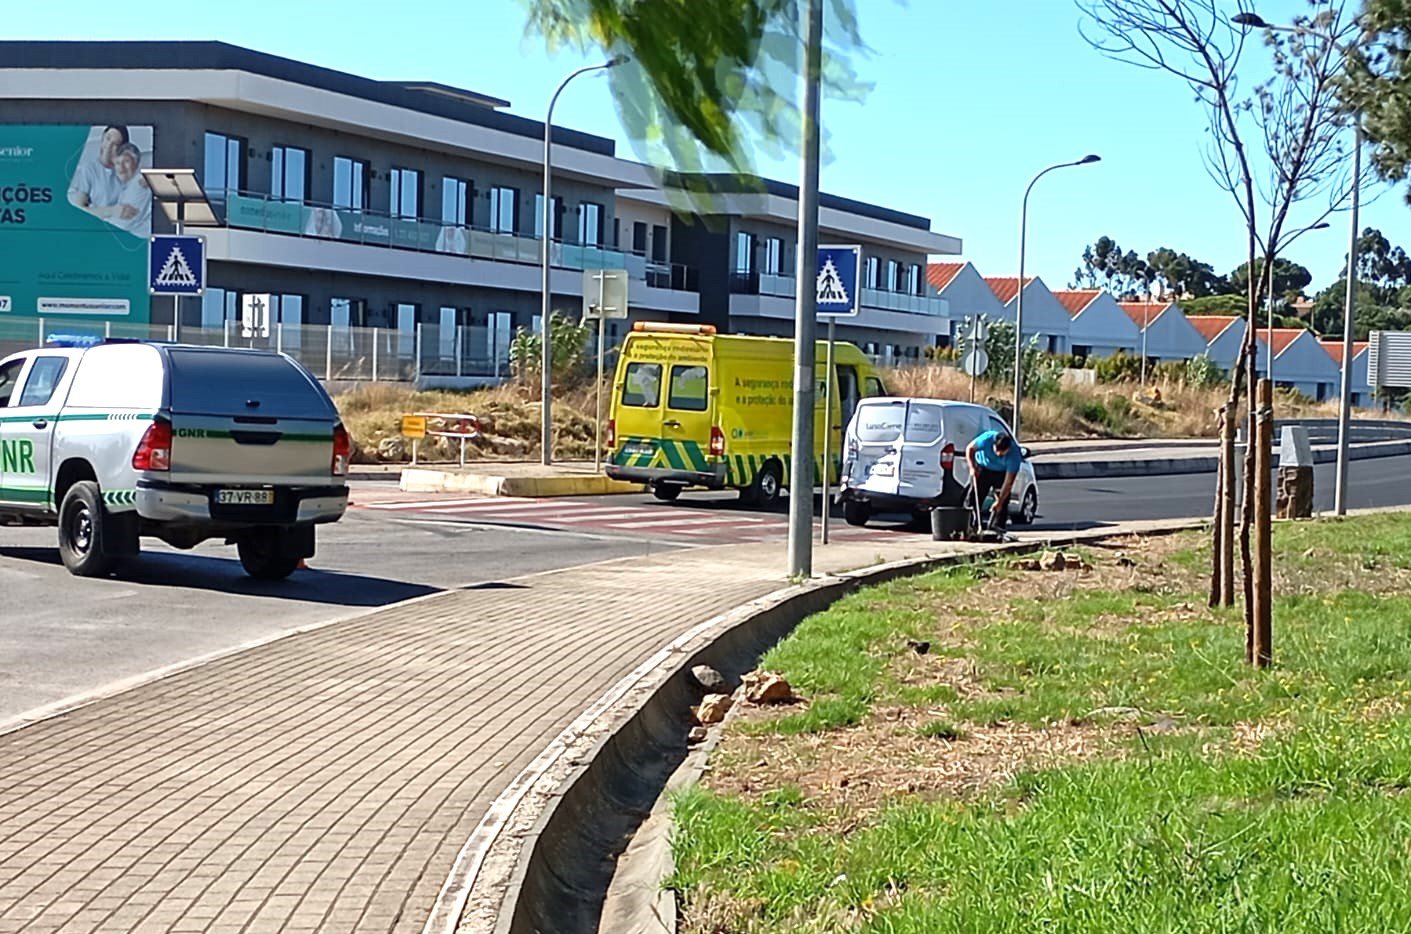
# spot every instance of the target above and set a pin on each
(1211, 798)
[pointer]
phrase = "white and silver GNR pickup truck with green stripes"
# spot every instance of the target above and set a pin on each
(115, 441)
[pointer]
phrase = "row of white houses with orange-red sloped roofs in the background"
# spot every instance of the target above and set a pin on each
(1093, 324)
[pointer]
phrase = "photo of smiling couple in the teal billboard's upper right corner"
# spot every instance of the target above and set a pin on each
(108, 180)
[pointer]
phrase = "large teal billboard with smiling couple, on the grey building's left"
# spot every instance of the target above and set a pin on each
(75, 215)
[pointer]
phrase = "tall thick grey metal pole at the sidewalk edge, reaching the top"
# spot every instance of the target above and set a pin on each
(806, 307)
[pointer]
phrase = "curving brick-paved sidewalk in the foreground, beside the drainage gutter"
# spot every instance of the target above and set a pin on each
(328, 781)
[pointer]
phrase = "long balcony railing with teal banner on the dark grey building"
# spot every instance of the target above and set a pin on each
(248, 211)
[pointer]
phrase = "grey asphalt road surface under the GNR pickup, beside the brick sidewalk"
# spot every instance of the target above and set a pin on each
(61, 636)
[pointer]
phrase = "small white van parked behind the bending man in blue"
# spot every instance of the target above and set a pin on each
(905, 455)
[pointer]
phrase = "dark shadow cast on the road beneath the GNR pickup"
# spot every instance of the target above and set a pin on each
(202, 572)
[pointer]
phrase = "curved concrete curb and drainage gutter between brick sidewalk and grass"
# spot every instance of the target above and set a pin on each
(550, 864)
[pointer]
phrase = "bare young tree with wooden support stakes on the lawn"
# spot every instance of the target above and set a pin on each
(1293, 118)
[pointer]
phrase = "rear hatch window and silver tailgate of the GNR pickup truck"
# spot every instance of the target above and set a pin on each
(248, 420)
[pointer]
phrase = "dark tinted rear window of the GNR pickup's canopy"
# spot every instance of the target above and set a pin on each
(217, 383)
